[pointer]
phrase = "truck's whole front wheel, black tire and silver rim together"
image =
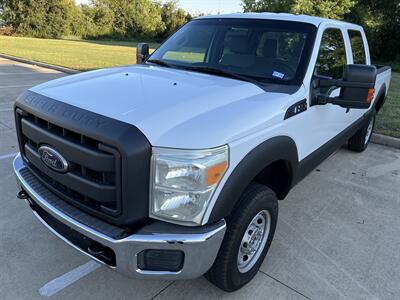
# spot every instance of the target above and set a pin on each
(250, 230)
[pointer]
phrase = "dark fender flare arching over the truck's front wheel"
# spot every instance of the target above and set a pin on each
(272, 150)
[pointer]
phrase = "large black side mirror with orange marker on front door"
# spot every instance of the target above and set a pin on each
(357, 87)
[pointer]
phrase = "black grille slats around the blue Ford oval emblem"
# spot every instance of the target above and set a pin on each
(91, 183)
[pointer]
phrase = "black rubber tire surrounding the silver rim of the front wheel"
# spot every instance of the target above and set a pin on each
(225, 272)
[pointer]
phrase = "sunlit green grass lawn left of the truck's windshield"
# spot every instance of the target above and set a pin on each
(80, 55)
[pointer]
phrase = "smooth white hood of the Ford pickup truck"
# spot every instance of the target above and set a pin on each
(173, 108)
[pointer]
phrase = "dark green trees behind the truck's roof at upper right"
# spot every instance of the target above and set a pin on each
(380, 18)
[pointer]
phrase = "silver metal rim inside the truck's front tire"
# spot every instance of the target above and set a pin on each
(253, 241)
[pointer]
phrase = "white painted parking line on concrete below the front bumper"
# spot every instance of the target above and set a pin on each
(60, 283)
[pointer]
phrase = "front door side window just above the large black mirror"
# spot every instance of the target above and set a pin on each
(332, 54)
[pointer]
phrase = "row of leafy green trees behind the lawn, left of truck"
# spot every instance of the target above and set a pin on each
(99, 18)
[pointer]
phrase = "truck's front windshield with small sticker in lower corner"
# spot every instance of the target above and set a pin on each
(260, 50)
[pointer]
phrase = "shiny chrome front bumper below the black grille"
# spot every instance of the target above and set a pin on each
(199, 245)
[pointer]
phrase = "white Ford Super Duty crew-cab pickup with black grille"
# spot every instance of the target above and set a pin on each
(173, 168)
